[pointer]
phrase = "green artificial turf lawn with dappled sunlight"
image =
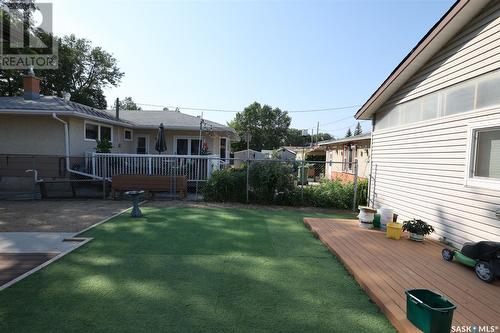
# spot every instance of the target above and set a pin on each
(194, 270)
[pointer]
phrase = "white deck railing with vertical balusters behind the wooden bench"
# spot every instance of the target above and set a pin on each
(195, 167)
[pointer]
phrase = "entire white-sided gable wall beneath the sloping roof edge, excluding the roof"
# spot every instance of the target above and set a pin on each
(420, 168)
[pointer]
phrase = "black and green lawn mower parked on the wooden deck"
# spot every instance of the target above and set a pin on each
(483, 256)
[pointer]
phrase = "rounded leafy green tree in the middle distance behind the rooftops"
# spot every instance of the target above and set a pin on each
(268, 126)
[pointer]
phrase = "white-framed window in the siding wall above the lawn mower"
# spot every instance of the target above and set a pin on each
(484, 156)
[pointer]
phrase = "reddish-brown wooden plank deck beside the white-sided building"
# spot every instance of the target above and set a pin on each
(385, 268)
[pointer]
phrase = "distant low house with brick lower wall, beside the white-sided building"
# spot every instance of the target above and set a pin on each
(341, 155)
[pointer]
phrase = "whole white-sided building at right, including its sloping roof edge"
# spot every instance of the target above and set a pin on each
(436, 135)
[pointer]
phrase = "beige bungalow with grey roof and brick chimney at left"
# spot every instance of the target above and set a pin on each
(52, 127)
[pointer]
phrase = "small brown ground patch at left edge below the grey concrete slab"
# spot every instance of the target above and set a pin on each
(13, 265)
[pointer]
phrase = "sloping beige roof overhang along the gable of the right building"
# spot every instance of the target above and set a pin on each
(449, 25)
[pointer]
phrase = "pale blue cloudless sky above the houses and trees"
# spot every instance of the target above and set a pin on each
(294, 55)
